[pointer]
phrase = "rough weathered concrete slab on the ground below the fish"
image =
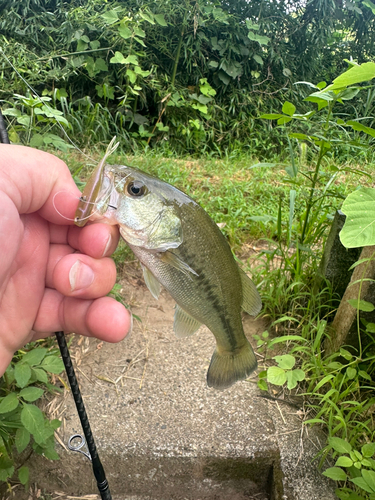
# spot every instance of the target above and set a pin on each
(163, 434)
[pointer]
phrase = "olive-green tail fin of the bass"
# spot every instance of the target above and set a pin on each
(227, 368)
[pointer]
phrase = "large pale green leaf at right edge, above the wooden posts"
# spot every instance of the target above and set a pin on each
(359, 227)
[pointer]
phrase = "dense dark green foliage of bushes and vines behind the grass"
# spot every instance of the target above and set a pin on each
(187, 76)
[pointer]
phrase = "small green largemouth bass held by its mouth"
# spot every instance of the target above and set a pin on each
(181, 248)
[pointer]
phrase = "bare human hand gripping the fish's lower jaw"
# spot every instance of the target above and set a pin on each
(53, 275)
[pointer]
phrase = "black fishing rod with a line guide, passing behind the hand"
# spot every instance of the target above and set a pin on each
(88, 438)
